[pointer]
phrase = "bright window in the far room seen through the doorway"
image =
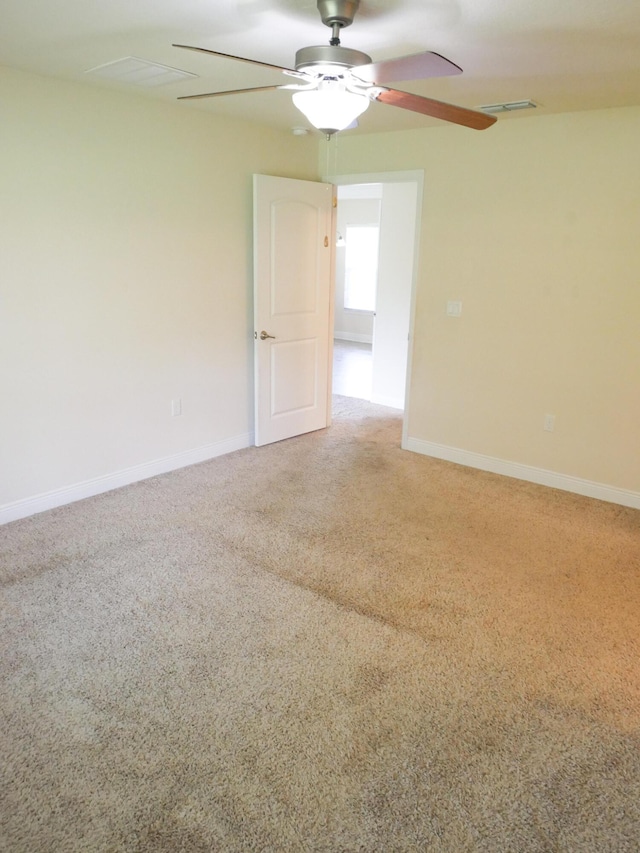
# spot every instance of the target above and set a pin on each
(361, 267)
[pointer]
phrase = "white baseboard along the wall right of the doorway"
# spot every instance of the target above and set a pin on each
(565, 482)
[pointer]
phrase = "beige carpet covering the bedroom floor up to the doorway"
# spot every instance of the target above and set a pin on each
(328, 644)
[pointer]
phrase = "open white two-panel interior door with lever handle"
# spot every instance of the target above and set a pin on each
(293, 252)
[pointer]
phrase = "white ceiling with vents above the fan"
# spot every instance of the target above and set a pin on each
(564, 55)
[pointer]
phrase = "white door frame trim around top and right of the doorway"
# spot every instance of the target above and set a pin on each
(417, 177)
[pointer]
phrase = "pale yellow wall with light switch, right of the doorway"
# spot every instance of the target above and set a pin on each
(534, 225)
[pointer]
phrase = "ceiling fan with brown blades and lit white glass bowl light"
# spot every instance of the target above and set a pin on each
(334, 84)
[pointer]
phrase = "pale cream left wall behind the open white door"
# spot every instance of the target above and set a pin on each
(125, 279)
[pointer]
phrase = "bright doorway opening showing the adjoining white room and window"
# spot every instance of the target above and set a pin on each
(371, 339)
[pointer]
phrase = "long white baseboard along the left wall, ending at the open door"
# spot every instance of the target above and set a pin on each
(89, 488)
